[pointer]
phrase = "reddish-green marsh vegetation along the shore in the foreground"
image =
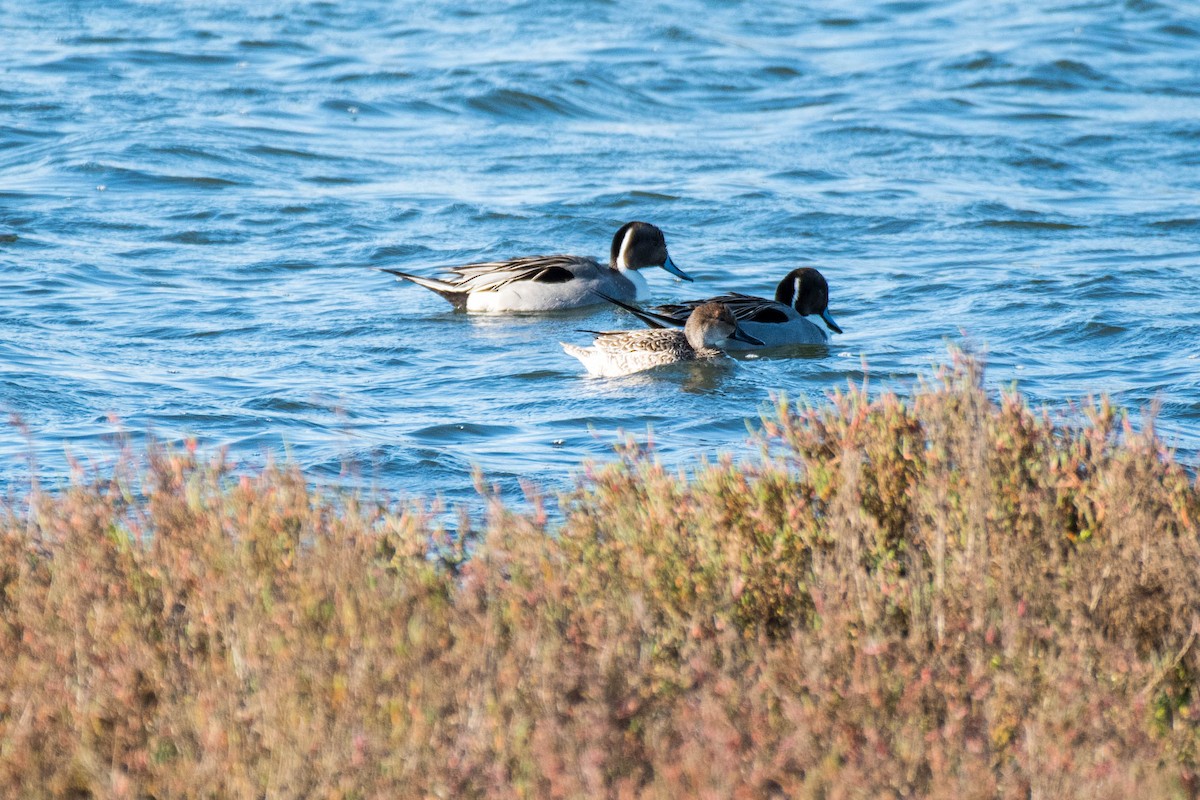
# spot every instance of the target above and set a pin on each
(944, 598)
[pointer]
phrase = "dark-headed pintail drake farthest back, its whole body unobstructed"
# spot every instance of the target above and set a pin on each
(556, 282)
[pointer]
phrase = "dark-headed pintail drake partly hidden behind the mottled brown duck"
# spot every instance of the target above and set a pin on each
(779, 322)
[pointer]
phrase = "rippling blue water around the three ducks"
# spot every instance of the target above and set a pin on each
(194, 196)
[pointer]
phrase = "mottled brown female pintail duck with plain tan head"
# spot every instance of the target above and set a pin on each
(709, 330)
